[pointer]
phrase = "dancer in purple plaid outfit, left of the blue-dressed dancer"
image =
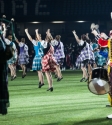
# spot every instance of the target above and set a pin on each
(23, 58)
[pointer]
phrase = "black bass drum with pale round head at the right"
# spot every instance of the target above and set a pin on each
(98, 81)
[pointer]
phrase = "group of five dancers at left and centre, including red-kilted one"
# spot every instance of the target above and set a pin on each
(49, 56)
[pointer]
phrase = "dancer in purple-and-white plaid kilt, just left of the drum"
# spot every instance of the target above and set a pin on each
(86, 57)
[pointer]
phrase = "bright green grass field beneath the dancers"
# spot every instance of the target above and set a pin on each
(70, 103)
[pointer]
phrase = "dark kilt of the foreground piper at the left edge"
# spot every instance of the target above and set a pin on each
(4, 94)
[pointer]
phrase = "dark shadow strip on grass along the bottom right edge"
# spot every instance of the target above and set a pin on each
(99, 121)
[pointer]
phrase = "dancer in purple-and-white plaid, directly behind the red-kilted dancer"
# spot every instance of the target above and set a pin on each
(58, 52)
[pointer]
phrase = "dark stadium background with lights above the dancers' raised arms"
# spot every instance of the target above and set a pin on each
(46, 11)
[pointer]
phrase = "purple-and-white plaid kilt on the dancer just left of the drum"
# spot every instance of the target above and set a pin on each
(85, 55)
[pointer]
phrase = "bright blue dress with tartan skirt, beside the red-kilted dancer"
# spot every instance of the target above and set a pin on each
(37, 66)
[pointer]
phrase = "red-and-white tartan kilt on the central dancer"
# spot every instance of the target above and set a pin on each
(48, 63)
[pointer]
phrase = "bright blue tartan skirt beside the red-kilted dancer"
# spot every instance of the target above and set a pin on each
(37, 66)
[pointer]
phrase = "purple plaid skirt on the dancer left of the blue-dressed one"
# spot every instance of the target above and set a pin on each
(23, 59)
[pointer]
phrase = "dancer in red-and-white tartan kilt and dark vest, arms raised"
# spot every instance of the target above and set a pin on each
(49, 64)
